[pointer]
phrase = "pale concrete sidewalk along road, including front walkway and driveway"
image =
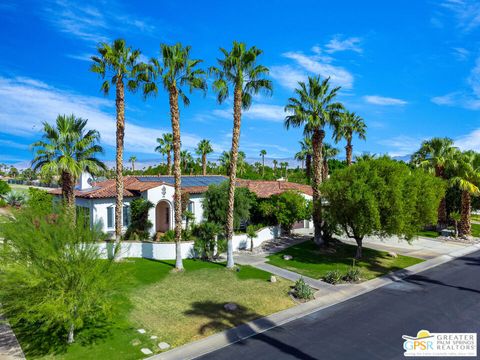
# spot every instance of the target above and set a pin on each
(435, 251)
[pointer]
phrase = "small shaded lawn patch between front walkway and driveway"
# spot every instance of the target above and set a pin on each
(310, 261)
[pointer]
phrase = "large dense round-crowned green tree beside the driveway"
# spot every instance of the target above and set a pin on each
(382, 197)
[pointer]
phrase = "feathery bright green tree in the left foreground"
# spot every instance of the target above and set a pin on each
(52, 278)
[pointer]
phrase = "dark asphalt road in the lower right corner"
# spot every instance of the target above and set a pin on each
(442, 299)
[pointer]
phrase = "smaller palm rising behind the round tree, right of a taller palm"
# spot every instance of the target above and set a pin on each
(349, 124)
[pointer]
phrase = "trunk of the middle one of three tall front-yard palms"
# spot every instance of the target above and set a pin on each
(175, 116)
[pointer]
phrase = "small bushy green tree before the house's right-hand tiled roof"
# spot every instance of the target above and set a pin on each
(286, 208)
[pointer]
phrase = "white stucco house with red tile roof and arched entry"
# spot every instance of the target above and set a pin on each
(98, 198)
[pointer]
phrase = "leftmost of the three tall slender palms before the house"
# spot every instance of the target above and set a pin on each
(117, 64)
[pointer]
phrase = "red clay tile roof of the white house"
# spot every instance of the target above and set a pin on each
(132, 187)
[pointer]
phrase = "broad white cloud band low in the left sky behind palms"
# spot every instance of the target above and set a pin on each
(26, 103)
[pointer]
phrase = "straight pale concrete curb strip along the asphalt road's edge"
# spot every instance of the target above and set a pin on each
(222, 339)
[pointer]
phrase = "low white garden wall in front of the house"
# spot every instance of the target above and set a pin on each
(166, 250)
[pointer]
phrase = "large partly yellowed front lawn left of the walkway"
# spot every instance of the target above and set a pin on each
(177, 307)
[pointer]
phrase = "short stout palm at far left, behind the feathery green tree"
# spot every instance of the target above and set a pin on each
(67, 149)
